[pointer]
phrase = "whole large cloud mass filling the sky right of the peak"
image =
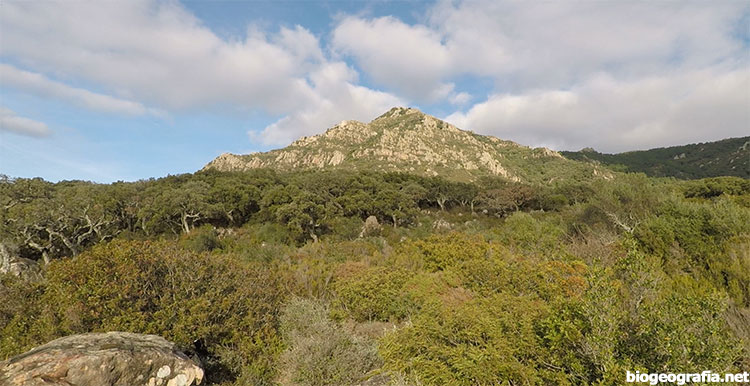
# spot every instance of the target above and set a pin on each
(616, 75)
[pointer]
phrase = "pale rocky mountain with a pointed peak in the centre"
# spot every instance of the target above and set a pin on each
(407, 140)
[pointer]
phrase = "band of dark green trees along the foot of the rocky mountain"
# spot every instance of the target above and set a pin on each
(50, 220)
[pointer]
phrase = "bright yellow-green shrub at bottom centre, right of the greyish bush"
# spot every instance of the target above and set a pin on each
(484, 341)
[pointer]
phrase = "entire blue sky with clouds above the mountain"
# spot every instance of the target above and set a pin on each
(113, 90)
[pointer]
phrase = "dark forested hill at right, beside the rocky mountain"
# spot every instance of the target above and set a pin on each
(728, 157)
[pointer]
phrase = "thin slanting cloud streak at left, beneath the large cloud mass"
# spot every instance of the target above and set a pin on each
(41, 85)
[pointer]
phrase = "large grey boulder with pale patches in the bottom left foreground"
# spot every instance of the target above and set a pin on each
(102, 359)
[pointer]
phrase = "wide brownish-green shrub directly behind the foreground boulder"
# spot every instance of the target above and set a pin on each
(230, 307)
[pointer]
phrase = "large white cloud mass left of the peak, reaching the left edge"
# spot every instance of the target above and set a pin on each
(159, 54)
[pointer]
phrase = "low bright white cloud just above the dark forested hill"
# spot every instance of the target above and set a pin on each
(613, 115)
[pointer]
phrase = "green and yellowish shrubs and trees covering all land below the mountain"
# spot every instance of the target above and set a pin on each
(265, 275)
